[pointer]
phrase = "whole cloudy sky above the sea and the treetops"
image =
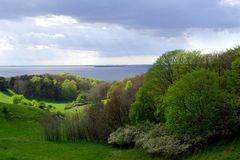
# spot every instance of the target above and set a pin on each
(90, 32)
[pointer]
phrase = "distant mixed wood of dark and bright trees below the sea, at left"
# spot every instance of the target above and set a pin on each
(54, 87)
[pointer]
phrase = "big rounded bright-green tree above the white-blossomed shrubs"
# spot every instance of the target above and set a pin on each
(193, 103)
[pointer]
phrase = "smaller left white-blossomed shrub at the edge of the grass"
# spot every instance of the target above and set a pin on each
(124, 136)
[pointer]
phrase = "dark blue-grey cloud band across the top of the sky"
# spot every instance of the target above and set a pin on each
(132, 13)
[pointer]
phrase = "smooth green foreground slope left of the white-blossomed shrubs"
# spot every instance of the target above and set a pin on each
(21, 139)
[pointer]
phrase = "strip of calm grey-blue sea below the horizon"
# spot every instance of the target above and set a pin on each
(107, 73)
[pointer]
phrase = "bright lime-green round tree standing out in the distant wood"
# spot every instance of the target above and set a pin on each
(69, 89)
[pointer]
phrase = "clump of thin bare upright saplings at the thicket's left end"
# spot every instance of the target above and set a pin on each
(72, 127)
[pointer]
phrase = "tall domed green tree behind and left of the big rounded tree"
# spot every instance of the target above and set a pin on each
(168, 68)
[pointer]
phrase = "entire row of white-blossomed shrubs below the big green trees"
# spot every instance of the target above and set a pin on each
(153, 139)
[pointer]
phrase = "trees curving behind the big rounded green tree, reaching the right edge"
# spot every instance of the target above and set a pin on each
(171, 67)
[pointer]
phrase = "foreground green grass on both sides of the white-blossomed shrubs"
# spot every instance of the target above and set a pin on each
(22, 131)
